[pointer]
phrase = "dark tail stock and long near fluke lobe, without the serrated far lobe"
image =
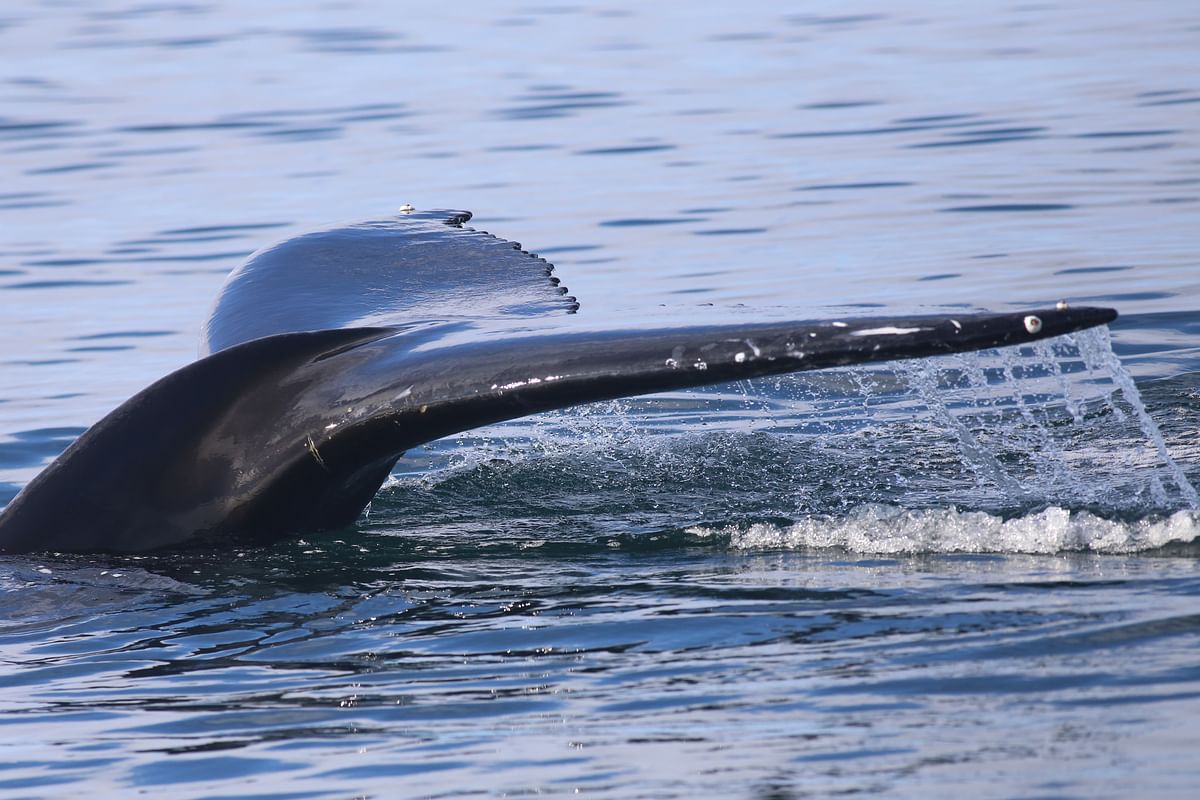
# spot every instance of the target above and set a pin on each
(297, 431)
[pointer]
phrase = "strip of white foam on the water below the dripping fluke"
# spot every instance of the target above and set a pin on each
(895, 531)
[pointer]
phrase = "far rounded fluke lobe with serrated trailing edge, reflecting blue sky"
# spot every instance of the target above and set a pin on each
(412, 268)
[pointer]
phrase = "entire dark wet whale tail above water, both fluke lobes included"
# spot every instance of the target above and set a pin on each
(328, 356)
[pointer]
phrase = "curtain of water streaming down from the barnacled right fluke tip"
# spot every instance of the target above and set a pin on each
(1058, 422)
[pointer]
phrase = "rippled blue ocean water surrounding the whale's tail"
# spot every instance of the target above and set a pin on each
(971, 576)
